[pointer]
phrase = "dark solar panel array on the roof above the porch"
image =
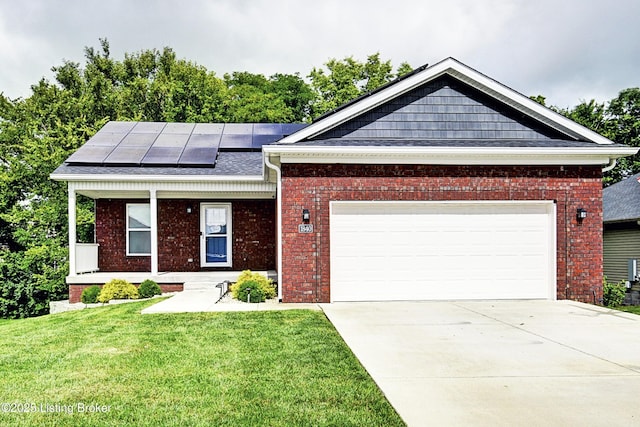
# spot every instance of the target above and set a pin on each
(175, 144)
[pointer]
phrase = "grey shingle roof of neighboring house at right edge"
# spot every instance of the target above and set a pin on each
(621, 201)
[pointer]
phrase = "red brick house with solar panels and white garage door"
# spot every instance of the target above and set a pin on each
(443, 184)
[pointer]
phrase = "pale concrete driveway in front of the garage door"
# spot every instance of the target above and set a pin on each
(498, 363)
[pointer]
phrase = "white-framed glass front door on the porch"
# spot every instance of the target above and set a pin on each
(215, 231)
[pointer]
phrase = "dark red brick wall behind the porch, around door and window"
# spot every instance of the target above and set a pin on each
(254, 243)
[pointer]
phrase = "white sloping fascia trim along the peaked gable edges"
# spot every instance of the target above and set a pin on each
(465, 74)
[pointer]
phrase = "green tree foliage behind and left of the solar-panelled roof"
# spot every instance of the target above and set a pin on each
(39, 132)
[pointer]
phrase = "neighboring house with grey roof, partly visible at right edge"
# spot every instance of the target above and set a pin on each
(621, 236)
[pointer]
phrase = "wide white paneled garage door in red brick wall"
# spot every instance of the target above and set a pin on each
(442, 250)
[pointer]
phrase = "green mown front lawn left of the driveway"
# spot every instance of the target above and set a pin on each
(272, 368)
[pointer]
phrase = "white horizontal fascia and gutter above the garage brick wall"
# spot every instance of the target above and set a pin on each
(453, 155)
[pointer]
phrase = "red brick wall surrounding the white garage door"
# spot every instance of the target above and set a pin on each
(305, 275)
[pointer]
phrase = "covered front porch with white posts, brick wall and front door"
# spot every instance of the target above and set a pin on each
(179, 239)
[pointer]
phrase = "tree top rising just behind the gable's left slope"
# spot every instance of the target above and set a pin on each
(347, 79)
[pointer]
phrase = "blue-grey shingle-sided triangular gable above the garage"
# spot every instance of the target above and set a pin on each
(443, 109)
